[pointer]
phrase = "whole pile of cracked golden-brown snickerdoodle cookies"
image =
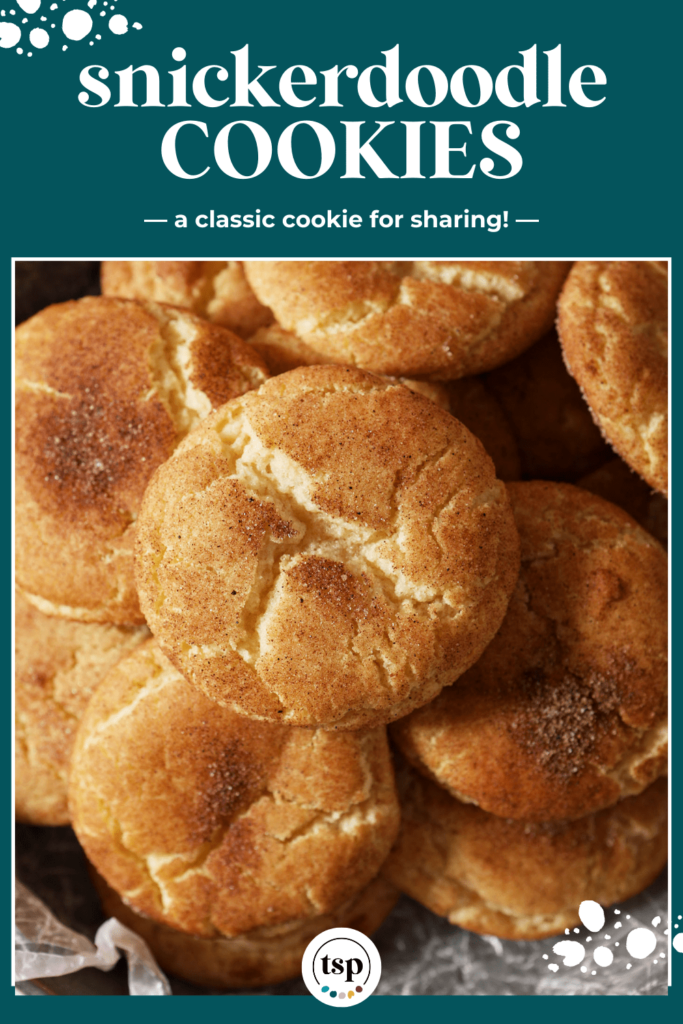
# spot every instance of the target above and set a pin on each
(262, 518)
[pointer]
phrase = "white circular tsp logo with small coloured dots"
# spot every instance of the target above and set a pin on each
(341, 967)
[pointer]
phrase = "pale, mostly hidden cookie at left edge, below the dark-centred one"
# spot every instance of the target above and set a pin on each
(59, 665)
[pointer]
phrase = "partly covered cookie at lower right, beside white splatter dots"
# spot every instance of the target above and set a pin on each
(517, 880)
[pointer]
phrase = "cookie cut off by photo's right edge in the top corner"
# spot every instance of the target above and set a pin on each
(614, 325)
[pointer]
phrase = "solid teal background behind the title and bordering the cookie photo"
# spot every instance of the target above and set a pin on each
(605, 183)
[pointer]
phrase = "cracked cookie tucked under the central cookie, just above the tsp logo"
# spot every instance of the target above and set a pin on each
(216, 825)
